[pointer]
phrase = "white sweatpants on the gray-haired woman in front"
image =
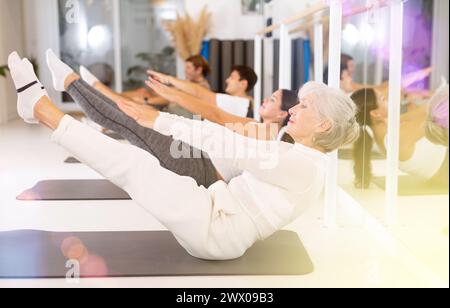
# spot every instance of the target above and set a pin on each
(209, 223)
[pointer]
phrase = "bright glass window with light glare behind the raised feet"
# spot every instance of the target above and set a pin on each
(118, 40)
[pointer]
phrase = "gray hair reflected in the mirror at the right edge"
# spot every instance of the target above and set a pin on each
(434, 132)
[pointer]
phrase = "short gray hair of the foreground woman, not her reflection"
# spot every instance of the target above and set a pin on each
(339, 109)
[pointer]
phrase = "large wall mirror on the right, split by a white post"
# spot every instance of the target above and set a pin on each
(422, 204)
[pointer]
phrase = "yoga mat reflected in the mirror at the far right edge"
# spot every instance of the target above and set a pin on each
(414, 186)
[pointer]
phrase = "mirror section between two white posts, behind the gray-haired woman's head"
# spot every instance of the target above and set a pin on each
(364, 76)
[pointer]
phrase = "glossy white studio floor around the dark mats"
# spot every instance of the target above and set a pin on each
(360, 252)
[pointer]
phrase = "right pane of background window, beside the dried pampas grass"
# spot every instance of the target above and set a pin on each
(142, 24)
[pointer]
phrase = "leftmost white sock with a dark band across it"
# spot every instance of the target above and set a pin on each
(29, 89)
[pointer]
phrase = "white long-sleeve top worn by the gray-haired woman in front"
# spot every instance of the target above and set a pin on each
(278, 180)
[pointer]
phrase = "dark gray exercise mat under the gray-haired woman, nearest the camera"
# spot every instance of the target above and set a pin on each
(38, 254)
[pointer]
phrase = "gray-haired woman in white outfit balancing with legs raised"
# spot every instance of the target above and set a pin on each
(278, 181)
